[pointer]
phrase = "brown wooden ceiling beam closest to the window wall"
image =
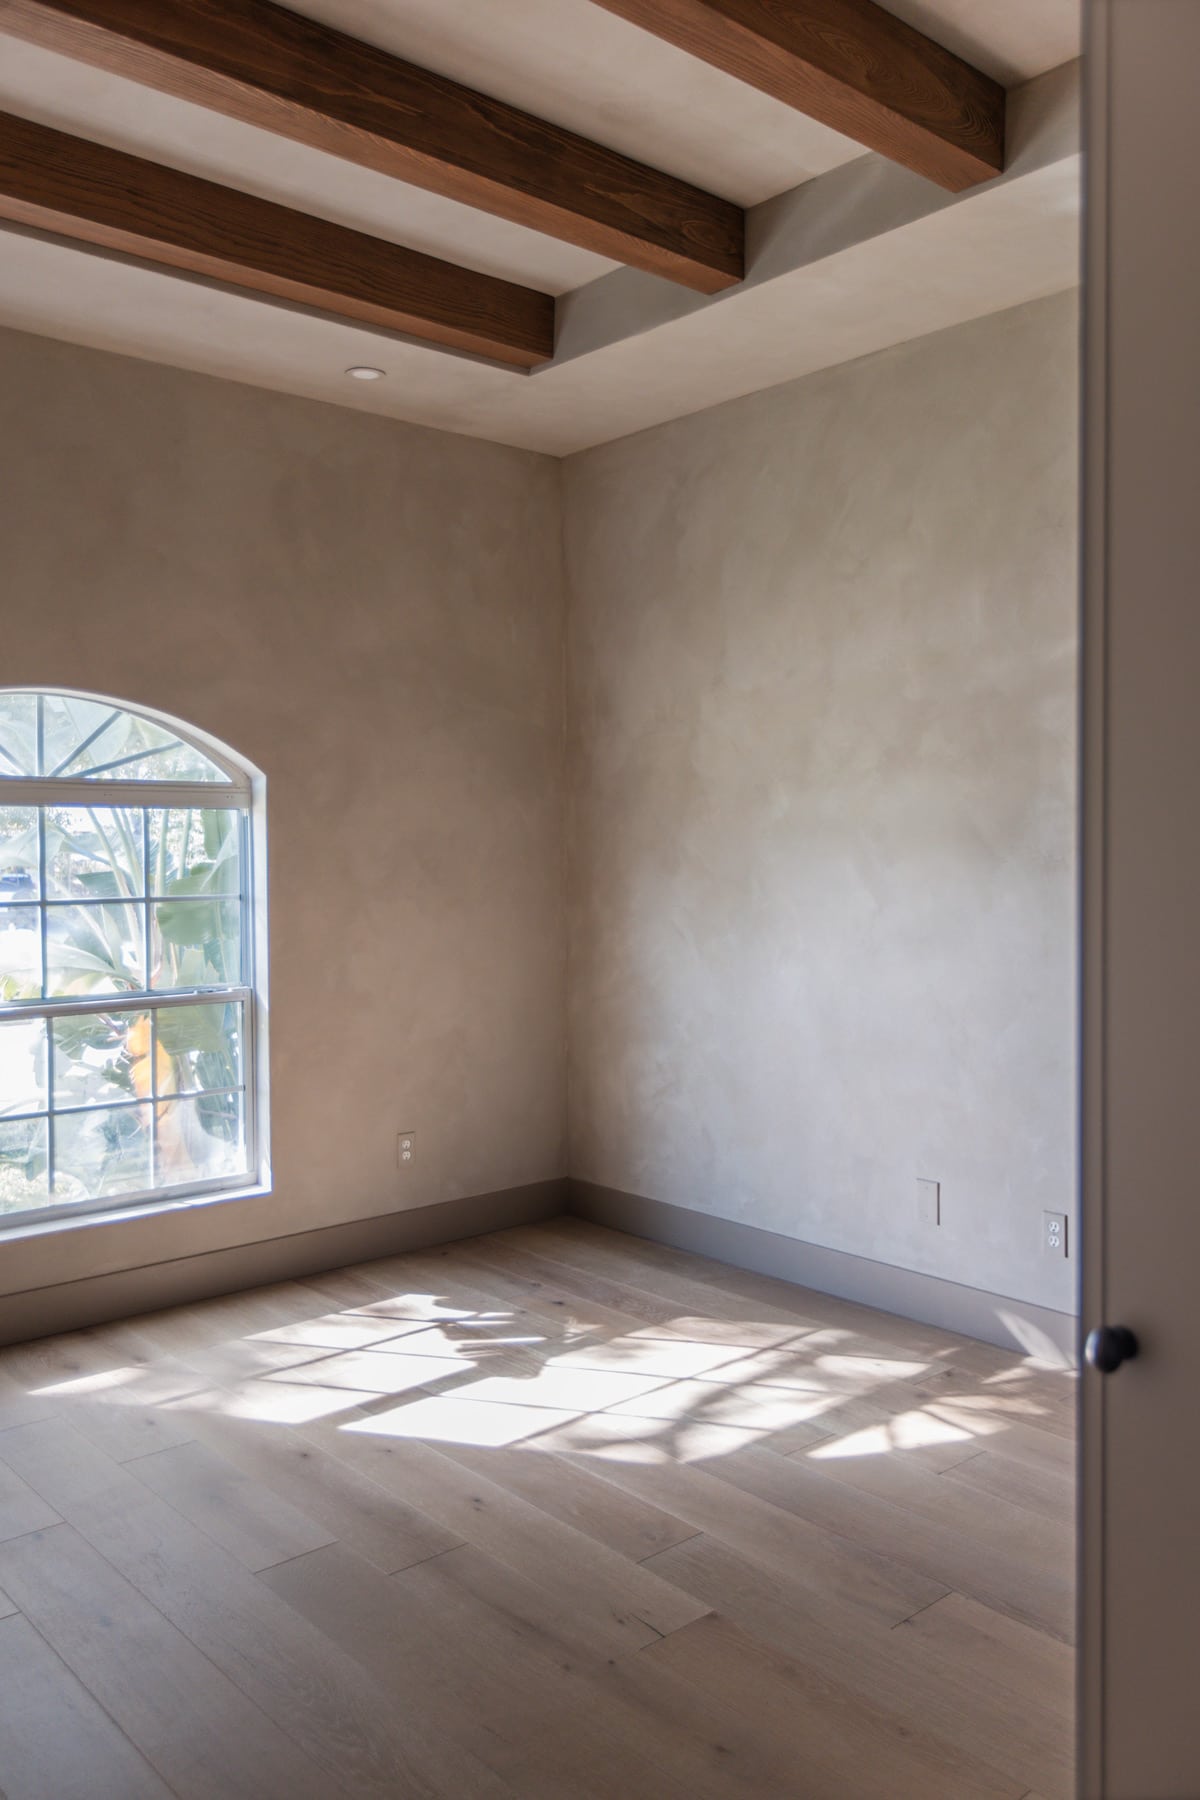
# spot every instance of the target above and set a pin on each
(105, 197)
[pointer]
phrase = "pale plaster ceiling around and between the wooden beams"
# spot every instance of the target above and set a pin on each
(891, 276)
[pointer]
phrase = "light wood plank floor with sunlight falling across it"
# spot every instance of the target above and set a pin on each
(546, 1515)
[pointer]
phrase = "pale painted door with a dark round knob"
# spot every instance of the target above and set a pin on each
(1142, 1016)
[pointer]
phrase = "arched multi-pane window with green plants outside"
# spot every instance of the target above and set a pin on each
(127, 960)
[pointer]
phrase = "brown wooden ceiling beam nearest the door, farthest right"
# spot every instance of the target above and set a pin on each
(852, 66)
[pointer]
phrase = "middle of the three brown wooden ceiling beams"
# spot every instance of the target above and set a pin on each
(301, 80)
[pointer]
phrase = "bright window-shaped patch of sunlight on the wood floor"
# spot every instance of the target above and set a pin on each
(683, 1390)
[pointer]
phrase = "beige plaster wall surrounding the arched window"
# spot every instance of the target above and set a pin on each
(373, 615)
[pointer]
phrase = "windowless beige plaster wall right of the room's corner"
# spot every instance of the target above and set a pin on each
(823, 768)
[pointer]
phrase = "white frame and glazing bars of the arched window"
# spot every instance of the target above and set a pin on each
(244, 795)
